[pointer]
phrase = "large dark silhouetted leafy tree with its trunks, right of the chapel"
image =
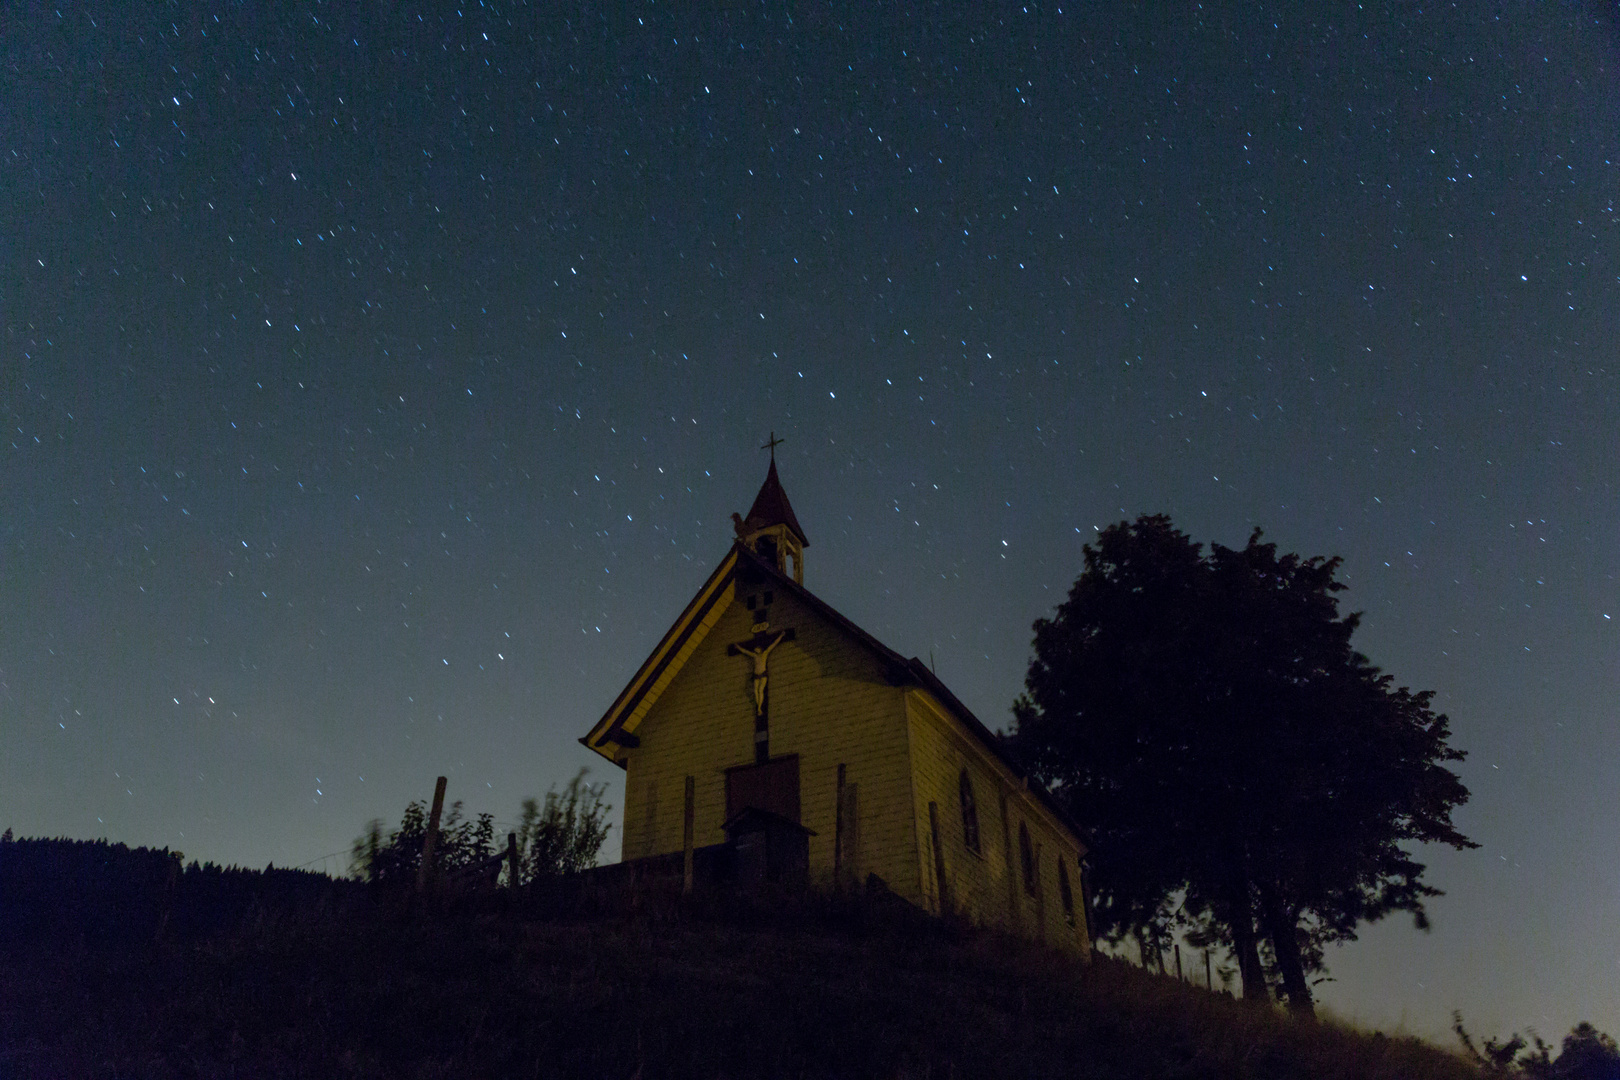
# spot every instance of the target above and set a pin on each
(1208, 718)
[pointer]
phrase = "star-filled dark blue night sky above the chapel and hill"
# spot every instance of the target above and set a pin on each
(378, 386)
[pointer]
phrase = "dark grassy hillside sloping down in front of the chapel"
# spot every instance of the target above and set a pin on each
(322, 980)
